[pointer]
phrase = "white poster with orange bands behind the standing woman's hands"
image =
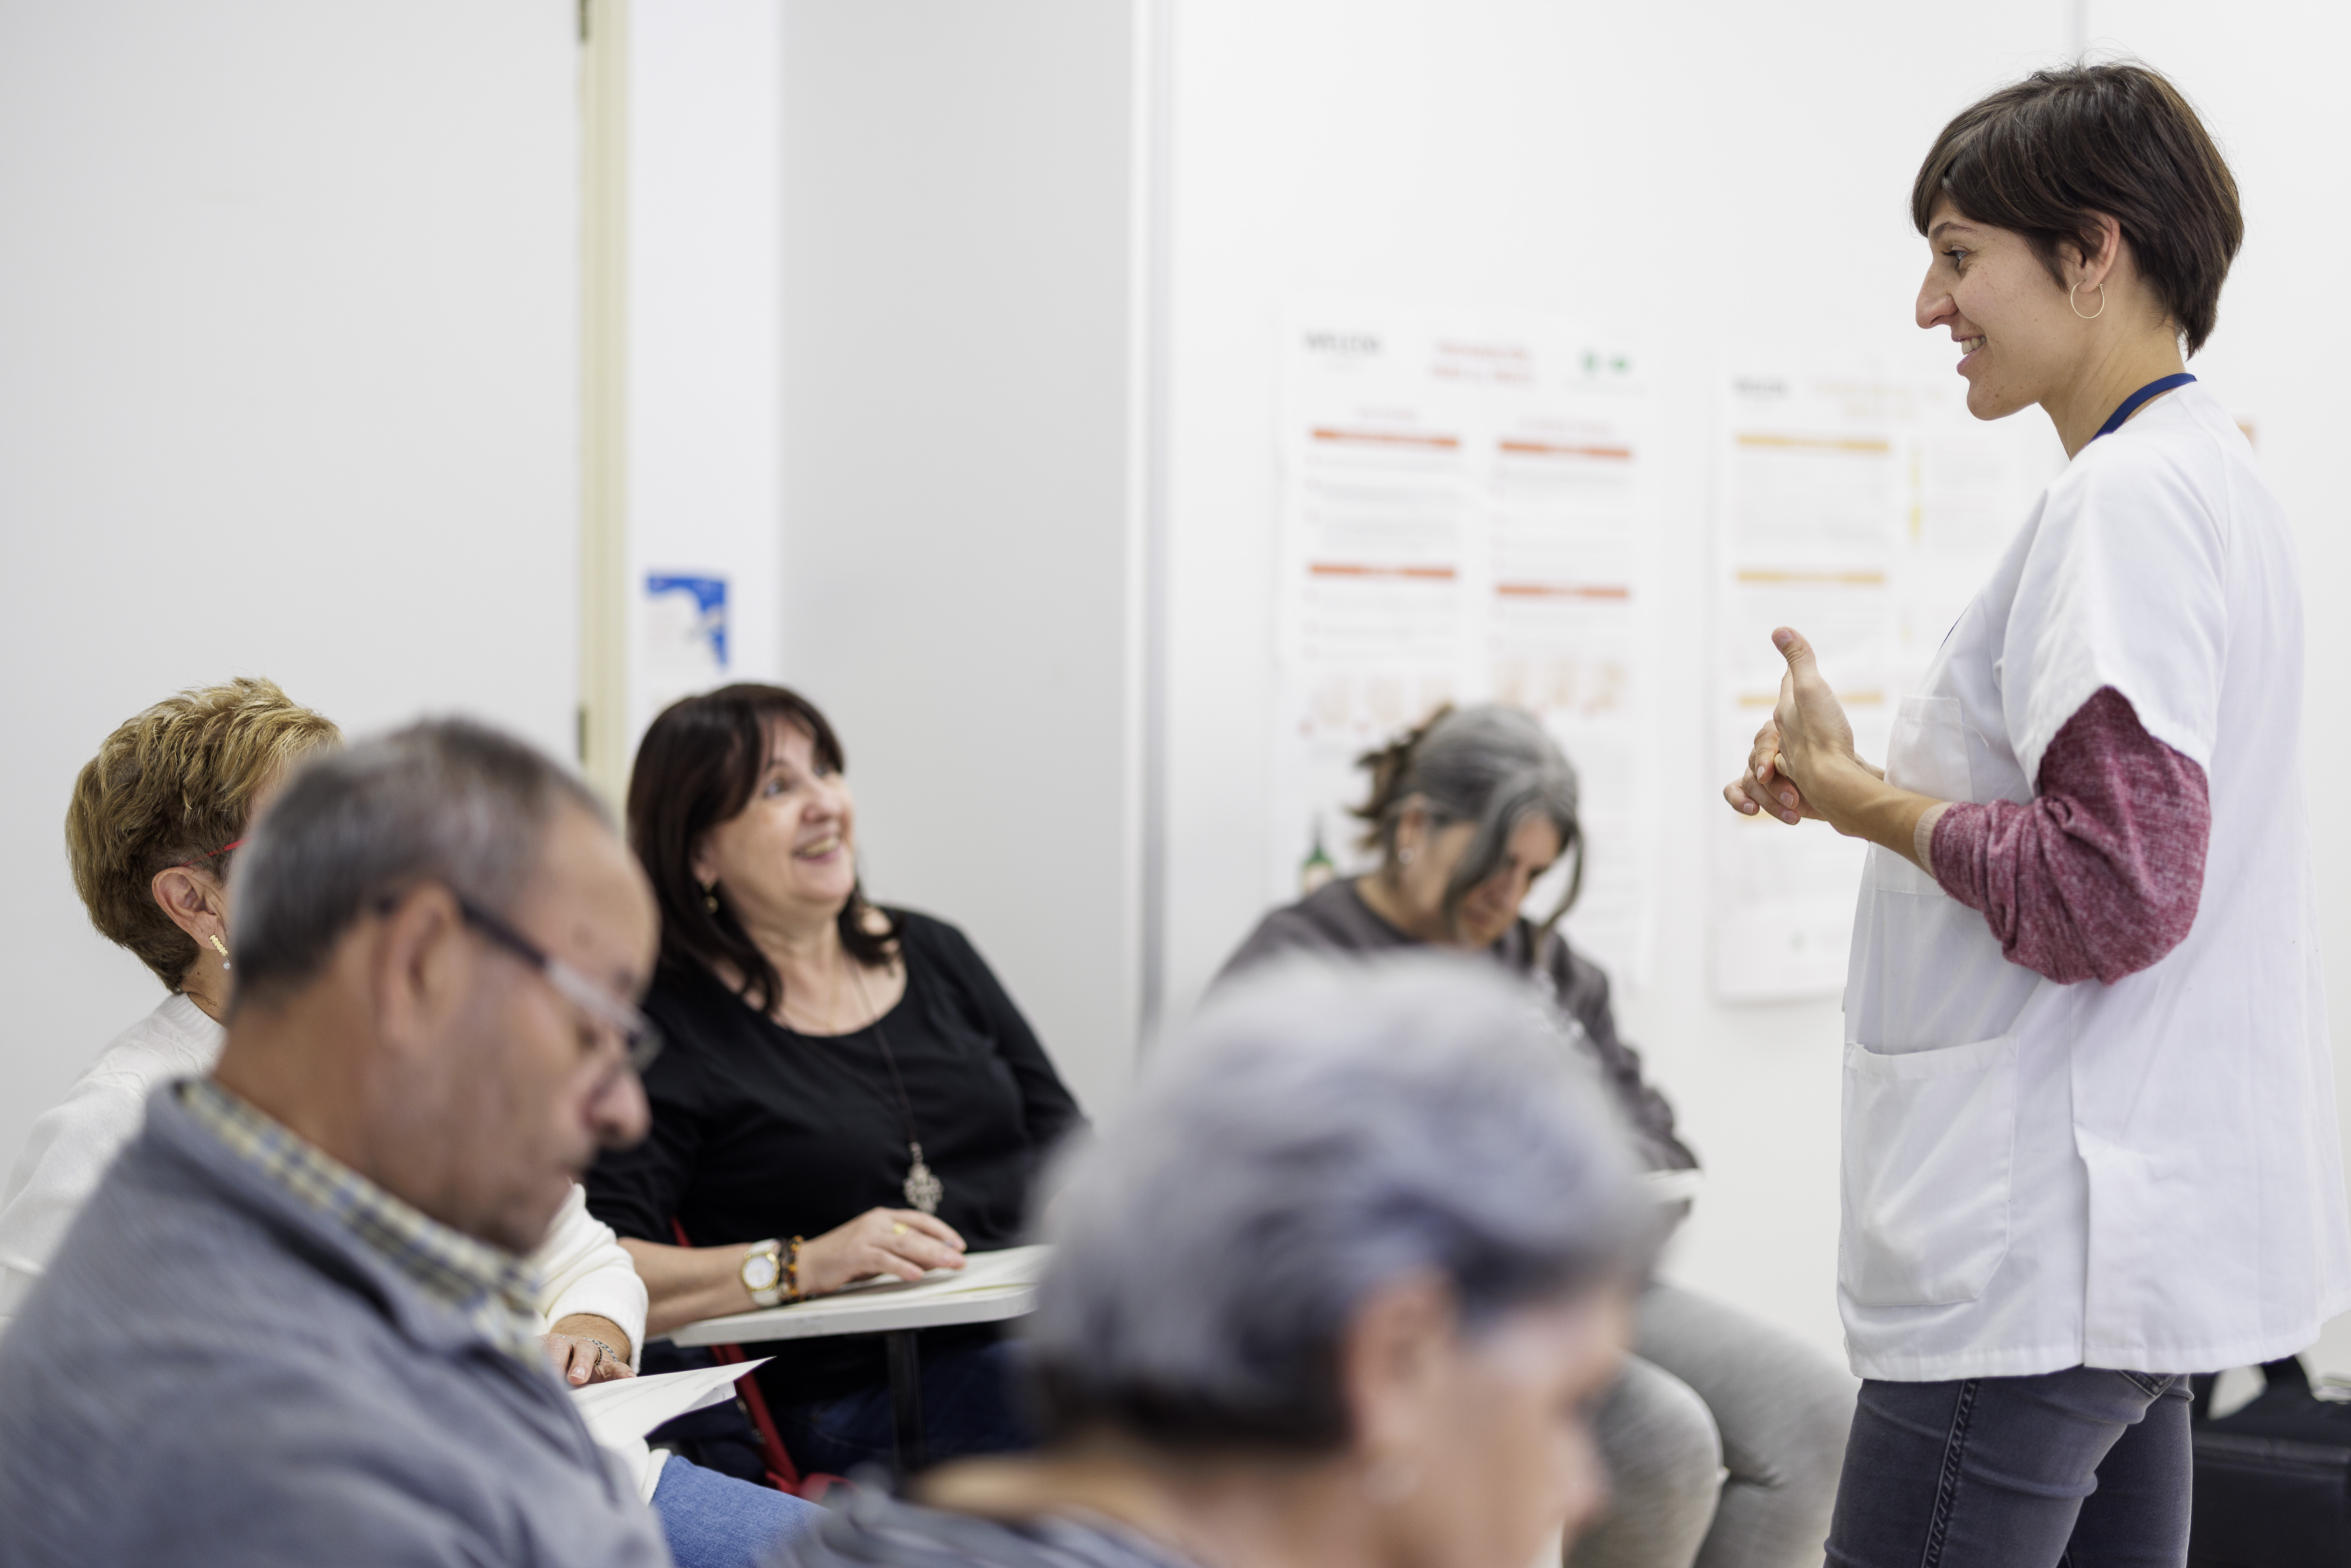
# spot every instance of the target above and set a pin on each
(1866, 511)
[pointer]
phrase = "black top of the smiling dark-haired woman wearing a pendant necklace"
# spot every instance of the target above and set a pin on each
(765, 1132)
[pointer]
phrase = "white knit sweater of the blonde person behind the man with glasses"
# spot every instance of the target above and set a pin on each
(582, 1266)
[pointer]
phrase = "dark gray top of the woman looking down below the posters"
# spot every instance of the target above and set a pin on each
(1337, 920)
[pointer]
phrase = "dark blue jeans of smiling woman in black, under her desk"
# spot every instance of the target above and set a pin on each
(967, 1407)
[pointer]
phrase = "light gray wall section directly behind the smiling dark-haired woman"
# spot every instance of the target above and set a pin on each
(960, 525)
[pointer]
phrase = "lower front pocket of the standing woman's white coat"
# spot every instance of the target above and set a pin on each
(1929, 1151)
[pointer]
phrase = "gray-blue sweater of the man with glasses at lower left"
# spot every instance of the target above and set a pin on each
(215, 1374)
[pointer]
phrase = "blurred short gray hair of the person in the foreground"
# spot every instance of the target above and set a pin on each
(1318, 1132)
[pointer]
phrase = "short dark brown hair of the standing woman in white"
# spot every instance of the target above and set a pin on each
(2063, 147)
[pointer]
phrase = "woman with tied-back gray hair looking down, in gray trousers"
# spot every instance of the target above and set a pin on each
(1724, 1438)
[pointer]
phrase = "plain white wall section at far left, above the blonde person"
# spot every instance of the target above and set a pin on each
(288, 389)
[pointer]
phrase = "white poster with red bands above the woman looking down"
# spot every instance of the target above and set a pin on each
(1466, 516)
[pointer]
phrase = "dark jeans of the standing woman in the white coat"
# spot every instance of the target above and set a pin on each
(2068, 1470)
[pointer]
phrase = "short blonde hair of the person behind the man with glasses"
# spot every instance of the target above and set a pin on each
(175, 786)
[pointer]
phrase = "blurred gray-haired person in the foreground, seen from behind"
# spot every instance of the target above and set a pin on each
(1301, 1306)
